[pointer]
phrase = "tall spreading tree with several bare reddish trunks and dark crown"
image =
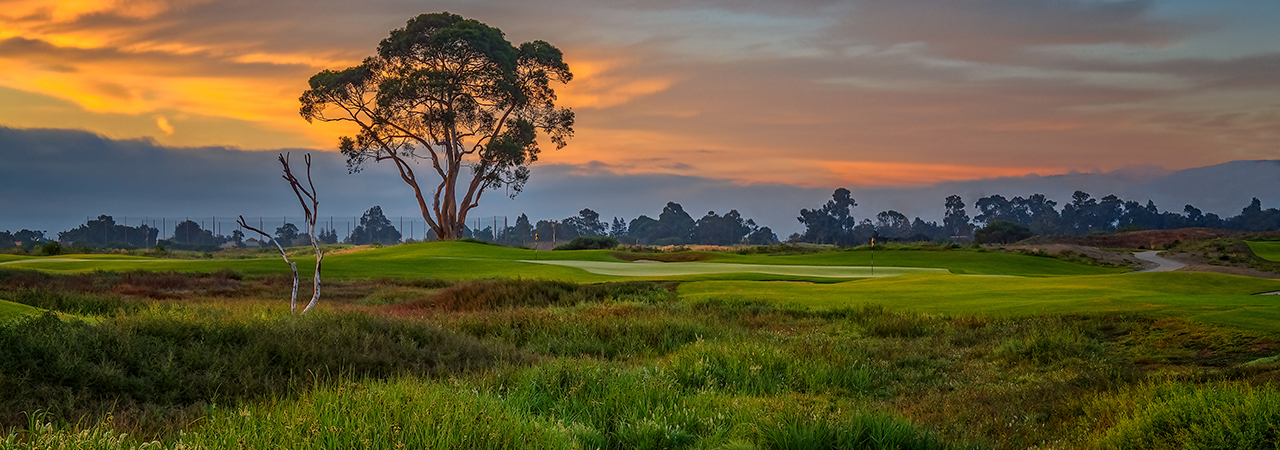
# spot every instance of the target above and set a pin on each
(458, 91)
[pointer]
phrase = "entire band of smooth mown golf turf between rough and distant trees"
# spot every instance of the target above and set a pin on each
(959, 282)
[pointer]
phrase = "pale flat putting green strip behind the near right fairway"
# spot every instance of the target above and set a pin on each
(680, 269)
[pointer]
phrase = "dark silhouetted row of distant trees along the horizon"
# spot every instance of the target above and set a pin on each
(998, 219)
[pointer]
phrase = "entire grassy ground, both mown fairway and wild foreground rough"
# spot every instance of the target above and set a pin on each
(456, 346)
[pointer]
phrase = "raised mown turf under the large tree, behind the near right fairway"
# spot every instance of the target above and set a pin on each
(455, 260)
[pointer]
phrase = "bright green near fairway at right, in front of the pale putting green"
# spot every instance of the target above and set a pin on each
(1213, 299)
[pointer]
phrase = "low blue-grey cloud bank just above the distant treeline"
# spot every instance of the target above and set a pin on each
(53, 180)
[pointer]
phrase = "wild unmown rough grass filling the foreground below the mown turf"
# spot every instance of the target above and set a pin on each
(618, 366)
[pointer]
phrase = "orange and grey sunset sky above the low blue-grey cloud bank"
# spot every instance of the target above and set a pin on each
(776, 97)
